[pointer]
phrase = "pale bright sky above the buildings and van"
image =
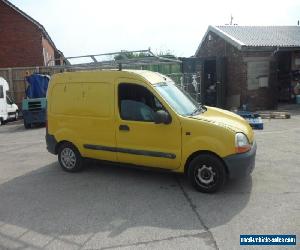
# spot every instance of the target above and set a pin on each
(80, 27)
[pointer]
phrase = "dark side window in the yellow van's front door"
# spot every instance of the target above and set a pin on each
(136, 103)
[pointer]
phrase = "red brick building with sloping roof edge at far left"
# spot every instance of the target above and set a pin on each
(23, 41)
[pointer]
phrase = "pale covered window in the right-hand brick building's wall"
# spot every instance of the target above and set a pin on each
(257, 74)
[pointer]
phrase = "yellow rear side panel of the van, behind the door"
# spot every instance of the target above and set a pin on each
(81, 110)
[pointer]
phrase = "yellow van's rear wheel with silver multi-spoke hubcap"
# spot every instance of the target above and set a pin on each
(69, 157)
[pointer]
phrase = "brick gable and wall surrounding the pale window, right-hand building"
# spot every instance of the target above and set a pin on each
(237, 92)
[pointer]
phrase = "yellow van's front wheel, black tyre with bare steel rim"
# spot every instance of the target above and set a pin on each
(206, 173)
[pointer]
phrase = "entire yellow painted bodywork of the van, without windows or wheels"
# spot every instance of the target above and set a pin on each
(83, 109)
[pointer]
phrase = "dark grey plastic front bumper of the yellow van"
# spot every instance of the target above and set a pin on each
(241, 165)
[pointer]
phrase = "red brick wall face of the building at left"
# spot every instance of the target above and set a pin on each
(20, 40)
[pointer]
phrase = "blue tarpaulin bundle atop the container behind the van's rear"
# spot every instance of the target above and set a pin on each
(38, 85)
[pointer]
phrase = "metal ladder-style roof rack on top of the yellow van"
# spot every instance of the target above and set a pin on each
(122, 59)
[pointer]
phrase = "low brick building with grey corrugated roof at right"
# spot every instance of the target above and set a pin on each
(253, 65)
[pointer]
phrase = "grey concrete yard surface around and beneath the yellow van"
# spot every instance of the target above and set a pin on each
(105, 207)
